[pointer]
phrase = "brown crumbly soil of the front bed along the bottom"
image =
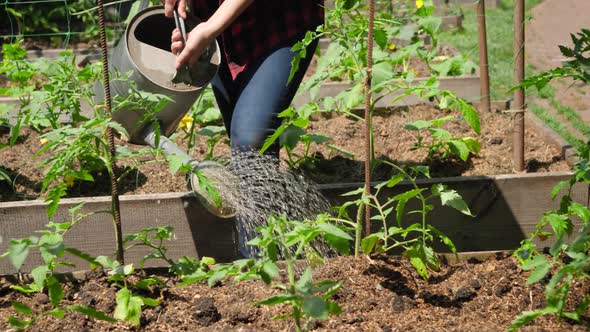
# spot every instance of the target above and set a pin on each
(379, 294)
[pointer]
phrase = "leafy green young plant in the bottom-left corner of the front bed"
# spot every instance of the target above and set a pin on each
(52, 248)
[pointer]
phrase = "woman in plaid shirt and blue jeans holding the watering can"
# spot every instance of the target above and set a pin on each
(251, 86)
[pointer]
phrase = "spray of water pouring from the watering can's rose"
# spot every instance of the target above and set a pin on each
(257, 186)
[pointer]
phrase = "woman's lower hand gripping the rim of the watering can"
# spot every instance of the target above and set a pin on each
(197, 41)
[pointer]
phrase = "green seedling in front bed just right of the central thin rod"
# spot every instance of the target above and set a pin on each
(414, 238)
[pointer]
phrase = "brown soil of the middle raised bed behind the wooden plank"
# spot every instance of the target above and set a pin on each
(392, 142)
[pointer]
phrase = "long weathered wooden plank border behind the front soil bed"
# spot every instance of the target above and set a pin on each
(507, 208)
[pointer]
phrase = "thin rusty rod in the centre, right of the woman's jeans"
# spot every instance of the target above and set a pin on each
(368, 78)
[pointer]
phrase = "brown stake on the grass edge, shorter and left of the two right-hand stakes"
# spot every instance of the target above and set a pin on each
(483, 57)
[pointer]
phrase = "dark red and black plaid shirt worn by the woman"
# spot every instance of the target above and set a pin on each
(263, 26)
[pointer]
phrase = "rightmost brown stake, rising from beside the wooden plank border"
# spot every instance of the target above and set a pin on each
(519, 101)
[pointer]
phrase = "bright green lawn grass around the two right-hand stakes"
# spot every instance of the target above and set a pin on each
(499, 24)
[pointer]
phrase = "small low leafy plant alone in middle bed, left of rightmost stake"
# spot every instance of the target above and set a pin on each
(441, 141)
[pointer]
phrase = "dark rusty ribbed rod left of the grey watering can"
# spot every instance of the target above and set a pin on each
(111, 138)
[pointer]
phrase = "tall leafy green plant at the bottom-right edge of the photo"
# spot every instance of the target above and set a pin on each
(565, 263)
